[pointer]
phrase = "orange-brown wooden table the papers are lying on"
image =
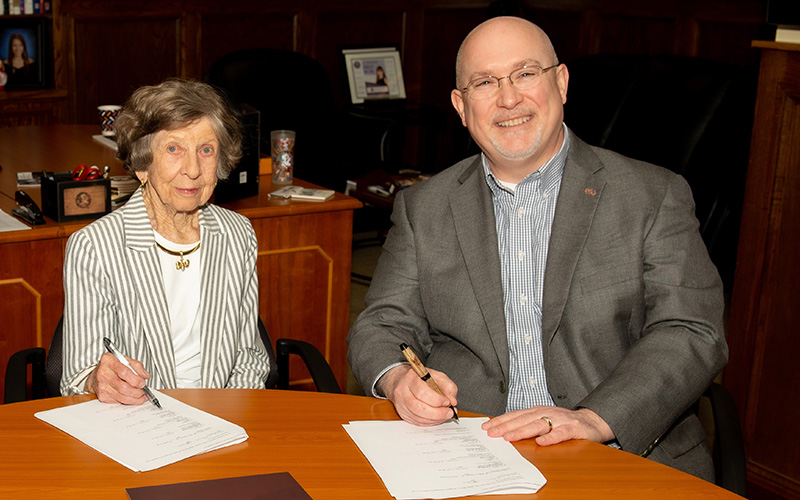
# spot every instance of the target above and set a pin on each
(300, 433)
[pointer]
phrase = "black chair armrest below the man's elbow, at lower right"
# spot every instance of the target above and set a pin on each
(730, 464)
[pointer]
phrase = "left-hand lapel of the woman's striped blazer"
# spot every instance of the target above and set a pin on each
(152, 311)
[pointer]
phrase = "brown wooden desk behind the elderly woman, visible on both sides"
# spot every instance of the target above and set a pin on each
(303, 266)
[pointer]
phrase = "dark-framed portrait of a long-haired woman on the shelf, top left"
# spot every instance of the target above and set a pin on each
(25, 52)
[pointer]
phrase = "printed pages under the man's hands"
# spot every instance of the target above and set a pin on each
(448, 460)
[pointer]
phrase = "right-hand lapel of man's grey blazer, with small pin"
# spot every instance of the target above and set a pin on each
(580, 192)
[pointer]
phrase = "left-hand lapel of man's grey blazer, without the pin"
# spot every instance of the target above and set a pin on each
(473, 217)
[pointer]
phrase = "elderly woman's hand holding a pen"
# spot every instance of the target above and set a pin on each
(114, 382)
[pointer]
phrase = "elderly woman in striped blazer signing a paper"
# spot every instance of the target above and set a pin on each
(169, 278)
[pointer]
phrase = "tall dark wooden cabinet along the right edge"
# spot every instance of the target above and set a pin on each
(765, 312)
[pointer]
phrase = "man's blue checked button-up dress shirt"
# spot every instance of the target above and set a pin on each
(524, 217)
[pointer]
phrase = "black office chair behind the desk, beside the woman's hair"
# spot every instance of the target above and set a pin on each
(291, 91)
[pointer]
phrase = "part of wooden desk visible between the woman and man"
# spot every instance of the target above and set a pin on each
(304, 264)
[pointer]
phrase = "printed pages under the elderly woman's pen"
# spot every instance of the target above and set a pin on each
(143, 437)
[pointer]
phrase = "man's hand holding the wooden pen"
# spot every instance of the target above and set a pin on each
(414, 400)
